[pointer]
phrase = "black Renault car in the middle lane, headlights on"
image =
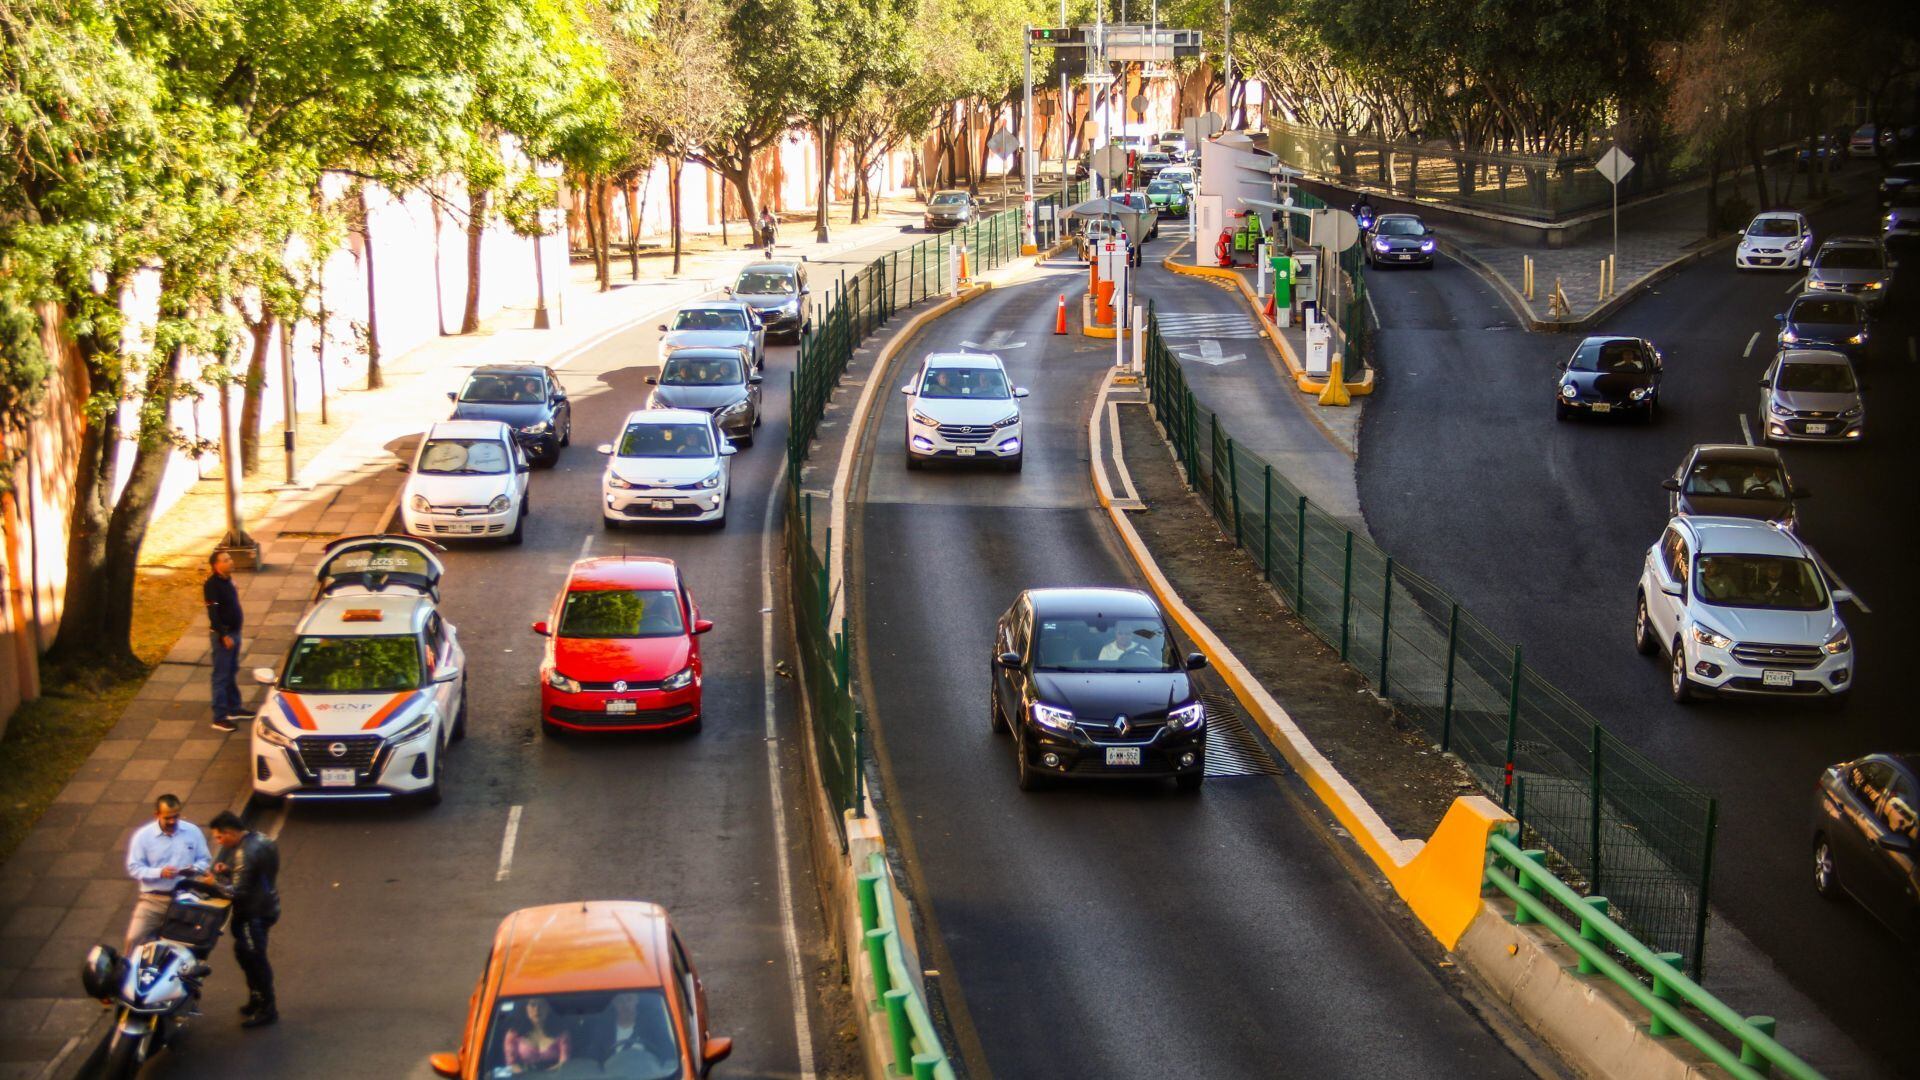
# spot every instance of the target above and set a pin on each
(1090, 685)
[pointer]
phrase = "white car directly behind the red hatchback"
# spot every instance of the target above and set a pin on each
(669, 466)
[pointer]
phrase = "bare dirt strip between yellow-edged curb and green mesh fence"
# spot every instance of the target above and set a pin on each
(1406, 779)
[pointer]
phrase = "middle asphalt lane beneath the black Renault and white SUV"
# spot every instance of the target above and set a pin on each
(1107, 931)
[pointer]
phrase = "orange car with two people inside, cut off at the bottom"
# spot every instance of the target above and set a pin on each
(587, 991)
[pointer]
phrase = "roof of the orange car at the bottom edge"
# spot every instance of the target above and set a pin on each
(565, 948)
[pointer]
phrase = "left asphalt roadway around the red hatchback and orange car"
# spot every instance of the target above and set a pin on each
(389, 912)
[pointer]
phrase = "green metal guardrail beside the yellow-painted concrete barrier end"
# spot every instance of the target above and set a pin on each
(1746, 1044)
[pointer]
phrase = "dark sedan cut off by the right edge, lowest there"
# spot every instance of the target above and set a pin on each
(1867, 841)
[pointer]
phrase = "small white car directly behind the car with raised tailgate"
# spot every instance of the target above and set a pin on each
(468, 481)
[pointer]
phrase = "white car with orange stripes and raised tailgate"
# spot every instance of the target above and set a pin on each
(373, 691)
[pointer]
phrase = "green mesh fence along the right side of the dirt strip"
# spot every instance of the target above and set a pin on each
(1618, 822)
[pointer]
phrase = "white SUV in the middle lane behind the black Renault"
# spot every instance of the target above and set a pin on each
(963, 406)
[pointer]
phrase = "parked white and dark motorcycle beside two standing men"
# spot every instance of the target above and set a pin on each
(156, 989)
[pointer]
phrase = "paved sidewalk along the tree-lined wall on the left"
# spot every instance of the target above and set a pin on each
(66, 889)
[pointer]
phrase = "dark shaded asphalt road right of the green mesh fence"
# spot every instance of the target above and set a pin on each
(1541, 529)
